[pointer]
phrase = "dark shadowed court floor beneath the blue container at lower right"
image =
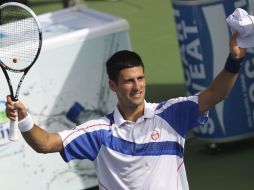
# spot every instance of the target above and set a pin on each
(228, 167)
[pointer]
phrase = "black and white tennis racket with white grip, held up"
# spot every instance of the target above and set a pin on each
(20, 46)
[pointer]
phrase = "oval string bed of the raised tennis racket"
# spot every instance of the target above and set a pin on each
(19, 40)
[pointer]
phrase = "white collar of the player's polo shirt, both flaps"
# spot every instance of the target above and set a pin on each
(148, 113)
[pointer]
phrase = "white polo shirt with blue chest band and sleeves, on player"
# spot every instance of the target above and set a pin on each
(142, 155)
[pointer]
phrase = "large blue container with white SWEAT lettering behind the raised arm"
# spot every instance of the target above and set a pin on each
(203, 37)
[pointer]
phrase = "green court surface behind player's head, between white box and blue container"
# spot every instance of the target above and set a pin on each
(152, 33)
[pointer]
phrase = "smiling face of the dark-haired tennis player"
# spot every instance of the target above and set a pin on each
(130, 88)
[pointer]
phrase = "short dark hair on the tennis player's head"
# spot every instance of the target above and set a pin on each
(122, 60)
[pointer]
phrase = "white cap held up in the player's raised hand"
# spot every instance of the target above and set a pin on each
(243, 23)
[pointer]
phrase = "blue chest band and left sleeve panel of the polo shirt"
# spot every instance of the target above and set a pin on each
(87, 146)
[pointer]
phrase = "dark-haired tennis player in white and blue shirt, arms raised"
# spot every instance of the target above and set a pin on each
(140, 145)
